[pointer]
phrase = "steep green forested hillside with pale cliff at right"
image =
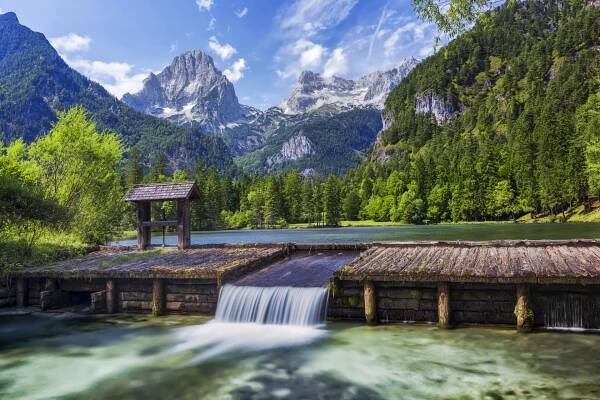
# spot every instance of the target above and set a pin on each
(495, 124)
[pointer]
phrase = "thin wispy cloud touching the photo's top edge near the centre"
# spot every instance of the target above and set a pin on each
(307, 17)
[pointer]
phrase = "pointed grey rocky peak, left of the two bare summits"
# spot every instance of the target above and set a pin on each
(191, 90)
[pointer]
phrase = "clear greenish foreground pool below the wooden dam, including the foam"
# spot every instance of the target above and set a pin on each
(187, 358)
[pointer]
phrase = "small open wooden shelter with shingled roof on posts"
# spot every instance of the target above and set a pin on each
(143, 195)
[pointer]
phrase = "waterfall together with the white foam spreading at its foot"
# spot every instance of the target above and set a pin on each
(251, 319)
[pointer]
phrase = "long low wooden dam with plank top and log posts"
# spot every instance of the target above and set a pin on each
(526, 284)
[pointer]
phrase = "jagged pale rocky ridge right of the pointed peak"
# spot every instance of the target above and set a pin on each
(314, 91)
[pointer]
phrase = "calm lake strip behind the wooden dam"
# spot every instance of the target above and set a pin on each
(400, 233)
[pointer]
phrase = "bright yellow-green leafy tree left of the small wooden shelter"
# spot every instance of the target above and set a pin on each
(80, 171)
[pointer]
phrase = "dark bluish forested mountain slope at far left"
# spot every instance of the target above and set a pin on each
(36, 84)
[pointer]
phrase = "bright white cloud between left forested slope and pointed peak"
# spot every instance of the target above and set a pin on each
(116, 77)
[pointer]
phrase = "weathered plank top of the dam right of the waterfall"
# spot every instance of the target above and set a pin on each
(546, 262)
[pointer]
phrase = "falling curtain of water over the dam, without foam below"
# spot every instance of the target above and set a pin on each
(280, 305)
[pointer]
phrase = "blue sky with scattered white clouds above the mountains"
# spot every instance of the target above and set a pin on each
(261, 46)
